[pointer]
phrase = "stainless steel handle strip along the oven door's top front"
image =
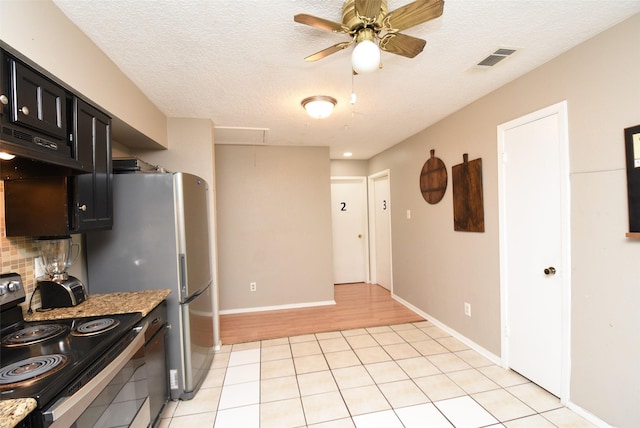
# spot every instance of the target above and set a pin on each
(67, 410)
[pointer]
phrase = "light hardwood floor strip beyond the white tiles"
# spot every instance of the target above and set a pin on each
(357, 305)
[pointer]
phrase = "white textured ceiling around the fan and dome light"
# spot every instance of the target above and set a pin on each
(240, 63)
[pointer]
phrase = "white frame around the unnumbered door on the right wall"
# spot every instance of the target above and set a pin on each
(559, 109)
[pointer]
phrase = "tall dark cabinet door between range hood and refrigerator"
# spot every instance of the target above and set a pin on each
(93, 202)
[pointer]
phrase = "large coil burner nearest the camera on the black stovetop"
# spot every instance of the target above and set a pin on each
(32, 369)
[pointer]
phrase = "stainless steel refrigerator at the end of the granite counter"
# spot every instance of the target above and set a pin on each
(160, 239)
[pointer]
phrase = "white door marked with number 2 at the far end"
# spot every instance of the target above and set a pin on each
(349, 217)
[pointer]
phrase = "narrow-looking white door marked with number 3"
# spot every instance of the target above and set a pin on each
(380, 224)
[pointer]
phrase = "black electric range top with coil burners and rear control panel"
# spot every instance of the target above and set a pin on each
(51, 360)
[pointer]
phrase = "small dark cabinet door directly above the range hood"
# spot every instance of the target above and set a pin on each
(37, 102)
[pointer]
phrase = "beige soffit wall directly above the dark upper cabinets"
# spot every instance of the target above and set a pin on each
(41, 32)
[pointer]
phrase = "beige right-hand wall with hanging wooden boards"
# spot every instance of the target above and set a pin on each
(437, 269)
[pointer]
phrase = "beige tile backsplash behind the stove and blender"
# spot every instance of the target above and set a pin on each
(17, 254)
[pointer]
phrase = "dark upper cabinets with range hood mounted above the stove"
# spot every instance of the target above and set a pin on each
(48, 126)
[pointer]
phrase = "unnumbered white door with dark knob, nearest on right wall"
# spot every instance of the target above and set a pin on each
(534, 244)
